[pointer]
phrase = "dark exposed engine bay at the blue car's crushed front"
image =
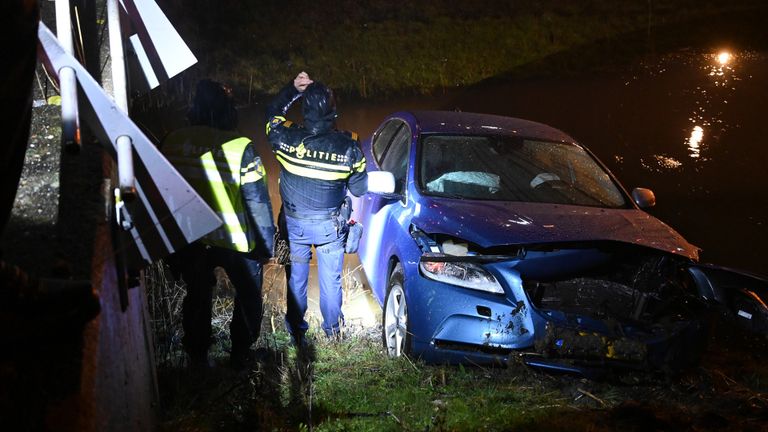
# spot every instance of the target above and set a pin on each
(637, 310)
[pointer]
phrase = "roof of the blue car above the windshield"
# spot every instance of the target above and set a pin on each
(457, 122)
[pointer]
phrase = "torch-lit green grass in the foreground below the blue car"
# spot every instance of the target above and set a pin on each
(350, 385)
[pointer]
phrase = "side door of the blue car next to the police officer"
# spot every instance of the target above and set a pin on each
(380, 214)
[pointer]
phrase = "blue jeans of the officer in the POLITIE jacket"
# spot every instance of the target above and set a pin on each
(327, 237)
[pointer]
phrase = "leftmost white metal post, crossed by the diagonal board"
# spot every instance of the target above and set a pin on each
(70, 118)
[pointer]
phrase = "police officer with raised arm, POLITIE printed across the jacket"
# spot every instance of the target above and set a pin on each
(318, 166)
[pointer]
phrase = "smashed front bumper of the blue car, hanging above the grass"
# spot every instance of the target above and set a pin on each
(570, 337)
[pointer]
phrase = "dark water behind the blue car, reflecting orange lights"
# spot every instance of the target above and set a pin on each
(688, 125)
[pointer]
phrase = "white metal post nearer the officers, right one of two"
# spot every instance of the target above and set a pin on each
(119, 85)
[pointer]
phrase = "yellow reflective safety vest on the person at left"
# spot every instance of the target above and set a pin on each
(210, 160)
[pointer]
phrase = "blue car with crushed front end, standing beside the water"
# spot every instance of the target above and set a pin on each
(506, 240)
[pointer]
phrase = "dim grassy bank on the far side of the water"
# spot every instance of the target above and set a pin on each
(373, 48)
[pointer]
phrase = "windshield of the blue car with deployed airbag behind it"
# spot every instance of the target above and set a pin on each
(503, 168)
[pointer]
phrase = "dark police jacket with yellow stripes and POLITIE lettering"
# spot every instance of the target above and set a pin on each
(319, 164)
